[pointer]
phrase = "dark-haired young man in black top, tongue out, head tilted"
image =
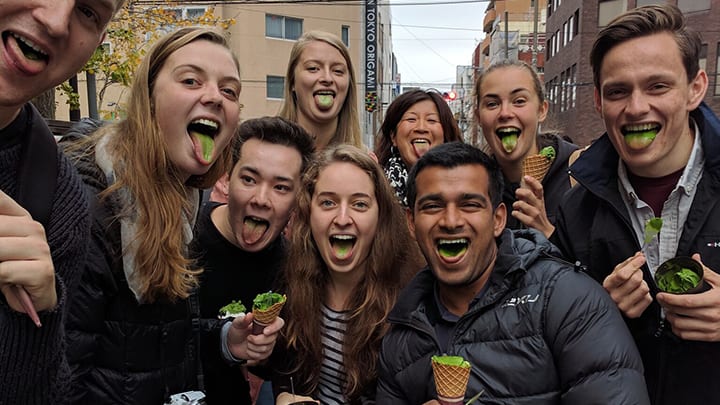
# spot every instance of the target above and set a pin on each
(240, 244)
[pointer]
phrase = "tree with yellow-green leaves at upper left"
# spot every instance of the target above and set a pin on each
(129, 36)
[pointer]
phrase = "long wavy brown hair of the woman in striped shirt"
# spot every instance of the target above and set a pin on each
(388, 268)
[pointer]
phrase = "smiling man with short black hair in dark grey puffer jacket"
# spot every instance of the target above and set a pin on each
(534, 329)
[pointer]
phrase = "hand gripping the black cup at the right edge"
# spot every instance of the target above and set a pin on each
(695, 316)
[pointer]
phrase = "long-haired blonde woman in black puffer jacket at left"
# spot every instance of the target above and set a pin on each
(130, 322)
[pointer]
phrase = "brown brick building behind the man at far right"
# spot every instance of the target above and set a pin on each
(571, 29)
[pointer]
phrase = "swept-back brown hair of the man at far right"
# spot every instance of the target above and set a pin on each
(644, 21)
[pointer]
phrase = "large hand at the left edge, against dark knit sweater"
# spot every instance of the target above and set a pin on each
(25, 258)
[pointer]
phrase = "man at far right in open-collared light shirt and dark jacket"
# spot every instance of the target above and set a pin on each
(658, 158)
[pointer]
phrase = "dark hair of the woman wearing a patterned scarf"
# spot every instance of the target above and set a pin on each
(399, 106)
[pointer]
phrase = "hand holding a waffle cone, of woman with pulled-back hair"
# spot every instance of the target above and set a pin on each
(530, 206)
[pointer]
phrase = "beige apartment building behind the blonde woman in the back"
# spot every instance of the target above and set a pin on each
(262, 37)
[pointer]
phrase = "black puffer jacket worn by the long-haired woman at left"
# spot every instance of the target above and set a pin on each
(122, 352)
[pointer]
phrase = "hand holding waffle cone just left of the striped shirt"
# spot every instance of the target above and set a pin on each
(253, 348)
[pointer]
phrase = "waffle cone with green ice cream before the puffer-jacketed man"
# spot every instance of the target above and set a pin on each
(451, 377)
